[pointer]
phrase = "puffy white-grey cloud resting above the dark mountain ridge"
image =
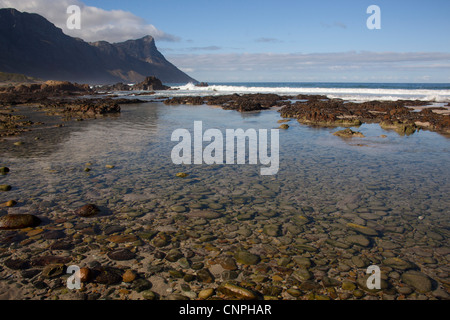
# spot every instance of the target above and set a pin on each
(96, 23)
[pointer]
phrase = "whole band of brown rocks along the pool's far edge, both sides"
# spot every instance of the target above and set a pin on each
(63, 98)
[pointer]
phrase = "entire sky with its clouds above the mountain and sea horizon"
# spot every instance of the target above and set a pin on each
(274, 41)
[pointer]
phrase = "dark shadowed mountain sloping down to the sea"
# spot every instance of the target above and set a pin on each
(31, 45)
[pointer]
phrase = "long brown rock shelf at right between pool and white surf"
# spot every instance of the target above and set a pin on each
(319, 110)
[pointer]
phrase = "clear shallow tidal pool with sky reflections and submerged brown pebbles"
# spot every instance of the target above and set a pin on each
(391, 191)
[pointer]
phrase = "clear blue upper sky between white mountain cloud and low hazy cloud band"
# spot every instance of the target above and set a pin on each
(295, 26)
